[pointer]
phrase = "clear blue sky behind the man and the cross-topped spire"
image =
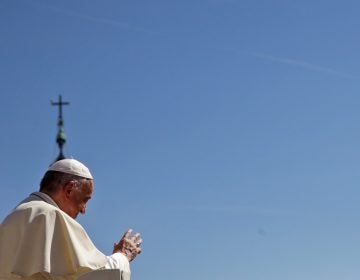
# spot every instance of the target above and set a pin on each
(226, 132)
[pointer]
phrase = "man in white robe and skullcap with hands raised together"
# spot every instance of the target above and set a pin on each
(40, 238)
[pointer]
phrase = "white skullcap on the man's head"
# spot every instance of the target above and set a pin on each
(71, 166)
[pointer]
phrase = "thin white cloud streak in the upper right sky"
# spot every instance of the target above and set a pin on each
(303, 64)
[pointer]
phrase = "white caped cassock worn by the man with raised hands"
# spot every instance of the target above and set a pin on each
(39, 240)
